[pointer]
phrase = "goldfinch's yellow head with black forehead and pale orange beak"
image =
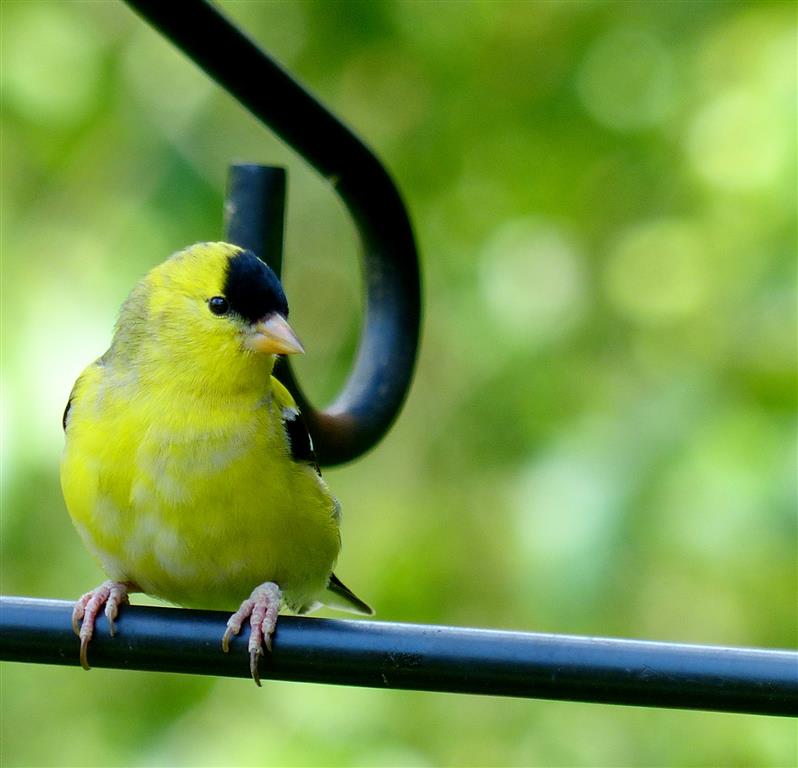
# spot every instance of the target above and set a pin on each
(211, 311)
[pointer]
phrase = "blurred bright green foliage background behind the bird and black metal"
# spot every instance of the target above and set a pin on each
(600, 438)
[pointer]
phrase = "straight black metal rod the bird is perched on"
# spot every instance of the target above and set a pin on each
(418, 657)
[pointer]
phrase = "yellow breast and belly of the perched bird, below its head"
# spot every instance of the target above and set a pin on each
(195, 499)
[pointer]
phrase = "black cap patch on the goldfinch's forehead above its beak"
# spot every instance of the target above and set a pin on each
(252, 289)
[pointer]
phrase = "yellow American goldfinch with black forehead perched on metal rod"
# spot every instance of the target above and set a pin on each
(187, 469)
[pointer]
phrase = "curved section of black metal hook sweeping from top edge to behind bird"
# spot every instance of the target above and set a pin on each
(375, 390)
